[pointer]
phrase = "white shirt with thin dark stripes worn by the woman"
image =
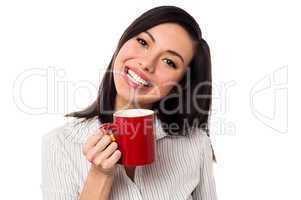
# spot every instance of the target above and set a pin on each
(182, 170)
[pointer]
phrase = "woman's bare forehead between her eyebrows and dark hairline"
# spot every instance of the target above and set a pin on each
(174, 37)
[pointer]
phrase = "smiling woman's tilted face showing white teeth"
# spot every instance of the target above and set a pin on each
(151, 63)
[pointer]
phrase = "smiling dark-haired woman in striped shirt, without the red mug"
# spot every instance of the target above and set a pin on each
(161, 63)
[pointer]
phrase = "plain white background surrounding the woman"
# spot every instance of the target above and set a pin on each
(53, 53)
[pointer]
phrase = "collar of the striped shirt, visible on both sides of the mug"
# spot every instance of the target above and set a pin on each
(78, 130)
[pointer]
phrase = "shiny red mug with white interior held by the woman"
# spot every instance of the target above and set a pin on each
(134, 133)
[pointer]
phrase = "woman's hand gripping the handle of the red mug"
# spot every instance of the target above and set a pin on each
(102, 152)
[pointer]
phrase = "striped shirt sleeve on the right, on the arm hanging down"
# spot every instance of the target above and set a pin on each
(206, 189)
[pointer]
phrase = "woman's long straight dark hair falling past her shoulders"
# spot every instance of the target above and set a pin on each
(189, 115)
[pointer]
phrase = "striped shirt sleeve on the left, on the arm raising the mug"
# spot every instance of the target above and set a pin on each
(57, 170)
